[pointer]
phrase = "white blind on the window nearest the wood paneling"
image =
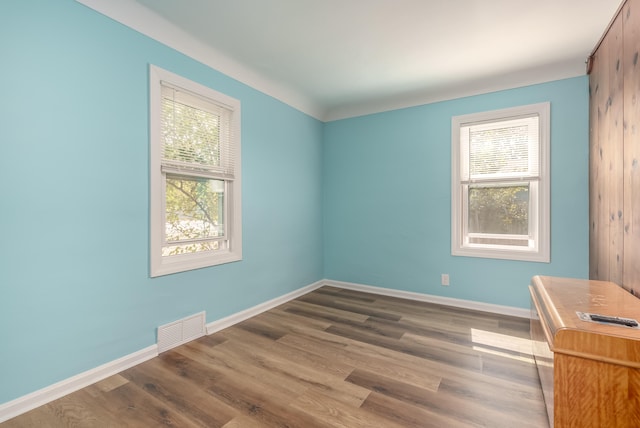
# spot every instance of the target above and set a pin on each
(502, 150)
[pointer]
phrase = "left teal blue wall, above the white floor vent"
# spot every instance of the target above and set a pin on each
(75, 290)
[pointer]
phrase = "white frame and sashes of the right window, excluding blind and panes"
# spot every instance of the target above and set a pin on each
(538, 249)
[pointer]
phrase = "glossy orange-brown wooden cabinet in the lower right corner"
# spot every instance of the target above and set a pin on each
(590, 372)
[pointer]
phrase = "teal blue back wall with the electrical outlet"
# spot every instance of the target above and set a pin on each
(387, 192)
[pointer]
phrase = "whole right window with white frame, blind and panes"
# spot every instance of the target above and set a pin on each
(500, 184)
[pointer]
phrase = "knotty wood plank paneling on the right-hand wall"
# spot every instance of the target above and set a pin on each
(614, 134)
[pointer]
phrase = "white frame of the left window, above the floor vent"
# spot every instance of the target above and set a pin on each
(164, 265)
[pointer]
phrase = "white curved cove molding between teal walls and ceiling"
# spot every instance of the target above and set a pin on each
(139, 18)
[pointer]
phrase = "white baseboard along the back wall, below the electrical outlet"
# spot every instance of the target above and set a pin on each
(447, 301)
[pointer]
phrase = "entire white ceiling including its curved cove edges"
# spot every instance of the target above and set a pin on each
(341, 58)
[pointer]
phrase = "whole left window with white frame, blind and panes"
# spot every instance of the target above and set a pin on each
(195, 175)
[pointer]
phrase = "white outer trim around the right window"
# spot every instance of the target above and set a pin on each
(539, 253)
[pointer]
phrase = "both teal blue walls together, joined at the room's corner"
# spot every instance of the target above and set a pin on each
(75, 290)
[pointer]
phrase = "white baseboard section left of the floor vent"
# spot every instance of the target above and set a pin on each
(43, 396)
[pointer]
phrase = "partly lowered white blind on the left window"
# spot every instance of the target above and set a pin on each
(196, 135)
